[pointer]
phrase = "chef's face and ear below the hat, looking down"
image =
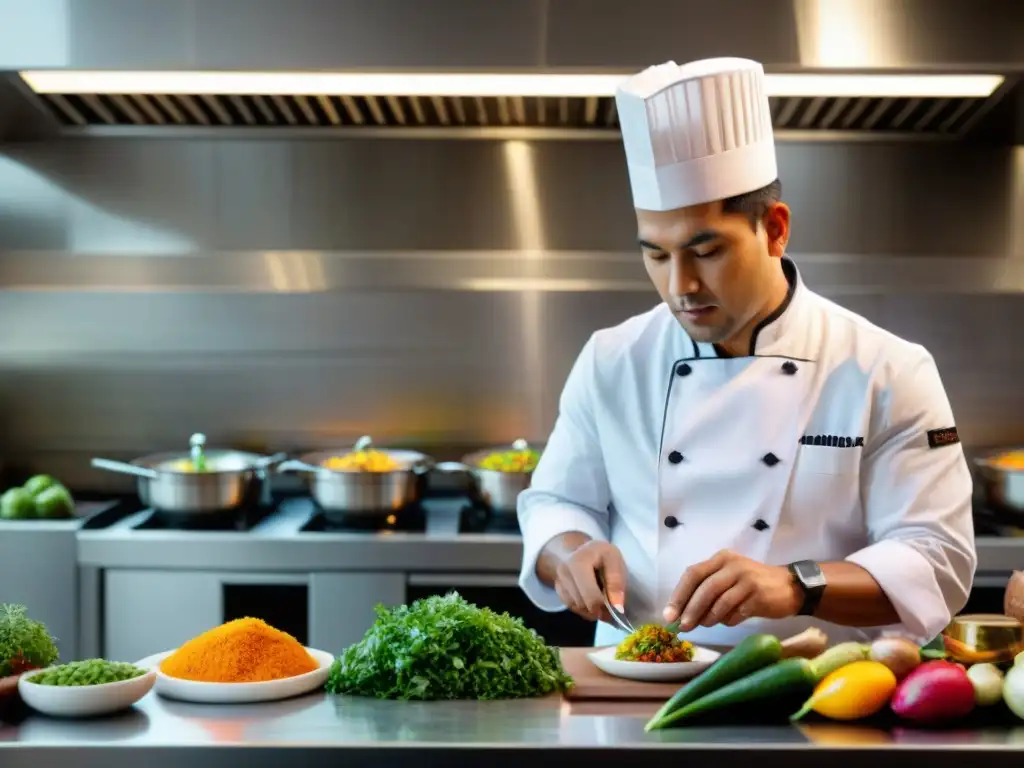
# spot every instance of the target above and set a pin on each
(716, 271)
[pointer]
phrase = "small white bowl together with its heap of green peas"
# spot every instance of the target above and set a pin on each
(89, 689)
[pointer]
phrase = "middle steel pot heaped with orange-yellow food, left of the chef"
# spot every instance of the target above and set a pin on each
(363, 480)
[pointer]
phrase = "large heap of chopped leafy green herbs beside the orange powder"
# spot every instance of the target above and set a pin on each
(446, 648)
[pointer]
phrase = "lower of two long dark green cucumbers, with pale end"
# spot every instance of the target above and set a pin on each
(789, 677)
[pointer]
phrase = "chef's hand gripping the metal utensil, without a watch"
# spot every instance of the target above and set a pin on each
(576, 580)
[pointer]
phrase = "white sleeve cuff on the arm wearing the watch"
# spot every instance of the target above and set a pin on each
(908, 579)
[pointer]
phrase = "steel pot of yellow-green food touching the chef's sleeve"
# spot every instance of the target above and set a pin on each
(499, 475)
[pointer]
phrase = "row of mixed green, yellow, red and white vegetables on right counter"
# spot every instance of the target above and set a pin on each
(849, 681)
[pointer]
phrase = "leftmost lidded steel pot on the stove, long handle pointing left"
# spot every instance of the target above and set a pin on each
(199, 482)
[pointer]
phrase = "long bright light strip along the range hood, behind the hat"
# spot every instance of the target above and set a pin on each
(454, 84)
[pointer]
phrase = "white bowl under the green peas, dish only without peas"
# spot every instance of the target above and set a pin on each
(84, 701)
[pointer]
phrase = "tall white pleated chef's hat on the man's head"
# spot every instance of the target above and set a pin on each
(697, 134)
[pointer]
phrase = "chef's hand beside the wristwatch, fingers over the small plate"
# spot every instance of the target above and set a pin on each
(729, 589)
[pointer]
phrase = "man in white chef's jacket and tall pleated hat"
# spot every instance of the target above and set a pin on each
(747, 456)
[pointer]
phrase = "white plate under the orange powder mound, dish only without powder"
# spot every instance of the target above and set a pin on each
(270, 691)
